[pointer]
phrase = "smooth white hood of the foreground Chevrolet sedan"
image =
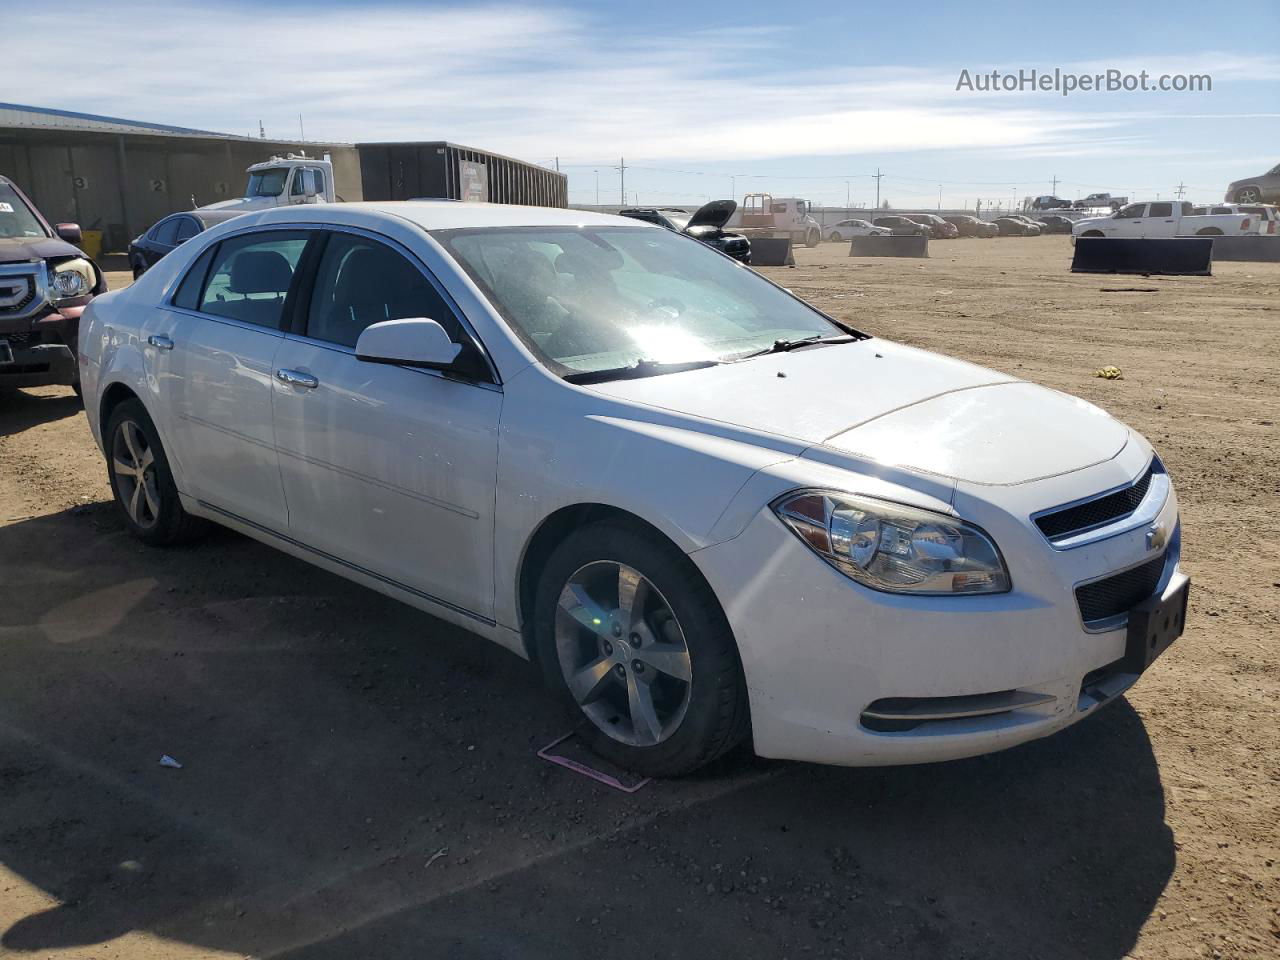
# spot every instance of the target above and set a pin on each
(898, 406)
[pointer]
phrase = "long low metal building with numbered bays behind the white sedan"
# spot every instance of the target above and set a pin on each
(120, 177)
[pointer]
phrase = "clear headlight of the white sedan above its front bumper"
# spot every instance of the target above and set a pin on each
(895, 548)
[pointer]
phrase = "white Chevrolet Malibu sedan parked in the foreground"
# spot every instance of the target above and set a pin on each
(708, 511)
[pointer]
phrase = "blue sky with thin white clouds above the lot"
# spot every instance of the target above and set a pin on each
(705, 100)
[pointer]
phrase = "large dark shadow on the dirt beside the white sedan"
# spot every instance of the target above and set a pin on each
(360, 780)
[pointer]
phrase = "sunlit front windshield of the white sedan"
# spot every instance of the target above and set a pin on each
(604, 299)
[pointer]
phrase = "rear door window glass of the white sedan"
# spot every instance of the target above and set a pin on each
(252, 277)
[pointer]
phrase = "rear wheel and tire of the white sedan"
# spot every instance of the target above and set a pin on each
(149, 501)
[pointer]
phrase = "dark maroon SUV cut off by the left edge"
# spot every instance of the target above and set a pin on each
(45, 285)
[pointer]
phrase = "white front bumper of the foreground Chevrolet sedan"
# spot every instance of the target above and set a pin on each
(820, 651)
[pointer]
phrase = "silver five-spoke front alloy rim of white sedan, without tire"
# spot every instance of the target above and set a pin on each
(623, 653)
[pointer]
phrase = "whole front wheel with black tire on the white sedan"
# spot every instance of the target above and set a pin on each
(692, 720)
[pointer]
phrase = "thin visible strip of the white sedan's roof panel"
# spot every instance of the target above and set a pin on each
(442, 216)
